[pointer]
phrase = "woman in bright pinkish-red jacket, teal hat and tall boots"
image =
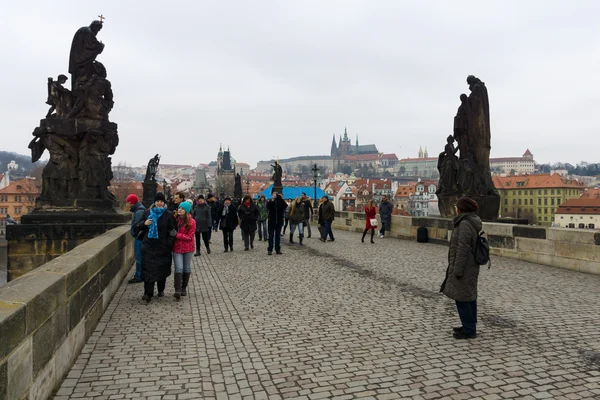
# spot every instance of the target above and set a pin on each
(183, 249)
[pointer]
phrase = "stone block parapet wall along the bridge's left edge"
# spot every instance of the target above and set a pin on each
(47, 315)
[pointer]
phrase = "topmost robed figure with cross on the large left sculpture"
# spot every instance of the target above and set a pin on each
(84, 49)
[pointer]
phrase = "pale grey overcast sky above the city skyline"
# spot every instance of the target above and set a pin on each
(278, 78)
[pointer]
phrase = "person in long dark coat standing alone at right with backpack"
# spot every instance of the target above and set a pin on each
(463, 268)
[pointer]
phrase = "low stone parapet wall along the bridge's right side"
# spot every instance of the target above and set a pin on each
(577, 250)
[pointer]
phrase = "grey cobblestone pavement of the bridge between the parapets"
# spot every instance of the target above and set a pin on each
(345, 320)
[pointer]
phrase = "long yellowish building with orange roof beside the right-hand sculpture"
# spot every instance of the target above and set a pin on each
(535, 197)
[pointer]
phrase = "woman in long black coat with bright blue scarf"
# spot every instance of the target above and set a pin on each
(157, 225)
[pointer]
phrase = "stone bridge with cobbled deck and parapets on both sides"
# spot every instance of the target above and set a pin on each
(338, 320)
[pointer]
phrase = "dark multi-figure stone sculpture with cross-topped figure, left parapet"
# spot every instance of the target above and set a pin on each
(78, 136)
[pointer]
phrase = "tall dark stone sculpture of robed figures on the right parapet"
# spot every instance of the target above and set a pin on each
(472, 177)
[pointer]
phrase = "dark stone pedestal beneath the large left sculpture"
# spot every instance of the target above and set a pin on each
(47, 233)
